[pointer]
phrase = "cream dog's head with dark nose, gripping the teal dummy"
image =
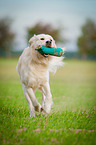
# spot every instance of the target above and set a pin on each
(41, 40)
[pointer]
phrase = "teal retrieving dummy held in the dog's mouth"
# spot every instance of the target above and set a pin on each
(45, 51)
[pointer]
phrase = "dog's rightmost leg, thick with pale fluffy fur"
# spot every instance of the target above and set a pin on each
(48, 98)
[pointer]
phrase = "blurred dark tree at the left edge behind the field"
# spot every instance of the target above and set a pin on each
(6, 36)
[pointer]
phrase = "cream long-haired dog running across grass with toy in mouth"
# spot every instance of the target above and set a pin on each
(33, 69)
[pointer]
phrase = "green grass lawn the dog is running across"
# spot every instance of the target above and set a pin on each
(73, 114)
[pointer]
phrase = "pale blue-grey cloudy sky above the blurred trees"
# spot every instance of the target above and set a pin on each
(70, 14)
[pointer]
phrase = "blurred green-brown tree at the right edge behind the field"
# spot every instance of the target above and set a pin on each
(87, 41)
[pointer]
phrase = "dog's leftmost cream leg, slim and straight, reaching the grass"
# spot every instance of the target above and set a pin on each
(31, 108)
